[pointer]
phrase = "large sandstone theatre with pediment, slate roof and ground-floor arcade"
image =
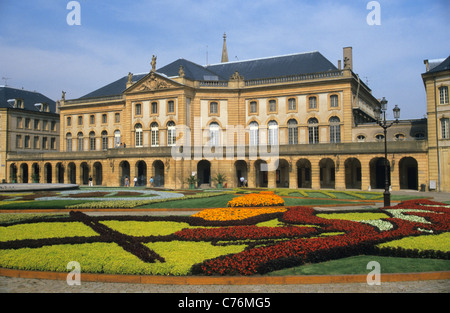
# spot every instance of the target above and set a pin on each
(296, 121)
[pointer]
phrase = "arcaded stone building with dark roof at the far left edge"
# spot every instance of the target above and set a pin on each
(29, 125)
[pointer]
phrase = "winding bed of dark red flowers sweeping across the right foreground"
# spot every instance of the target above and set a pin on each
(358, 238)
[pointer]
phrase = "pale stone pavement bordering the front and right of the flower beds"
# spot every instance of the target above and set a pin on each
(25, 285)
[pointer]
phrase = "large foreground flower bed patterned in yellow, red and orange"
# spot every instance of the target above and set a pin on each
(204, 245)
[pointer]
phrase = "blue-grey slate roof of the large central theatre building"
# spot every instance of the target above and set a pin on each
(271, 67)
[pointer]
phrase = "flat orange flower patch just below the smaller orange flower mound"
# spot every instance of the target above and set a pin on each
(233, 214)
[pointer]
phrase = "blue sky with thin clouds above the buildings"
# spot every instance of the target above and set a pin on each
(40, 51)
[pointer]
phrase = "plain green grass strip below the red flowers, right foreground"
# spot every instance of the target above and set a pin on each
(358, 265)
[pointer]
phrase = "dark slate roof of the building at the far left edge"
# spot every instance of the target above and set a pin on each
(29, 98)
